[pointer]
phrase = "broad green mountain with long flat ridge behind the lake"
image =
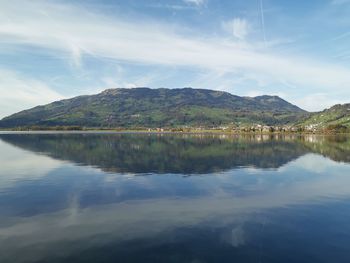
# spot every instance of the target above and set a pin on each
(145, 107)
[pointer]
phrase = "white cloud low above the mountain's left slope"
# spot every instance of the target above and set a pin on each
(20, 93)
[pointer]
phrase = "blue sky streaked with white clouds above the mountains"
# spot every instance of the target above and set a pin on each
(51, 50)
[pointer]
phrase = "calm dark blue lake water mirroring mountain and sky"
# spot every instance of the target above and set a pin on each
(174, 198)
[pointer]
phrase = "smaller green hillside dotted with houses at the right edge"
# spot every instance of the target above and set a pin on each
(334, 118)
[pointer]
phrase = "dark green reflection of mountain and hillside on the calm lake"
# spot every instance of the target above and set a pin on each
(190, 154)
